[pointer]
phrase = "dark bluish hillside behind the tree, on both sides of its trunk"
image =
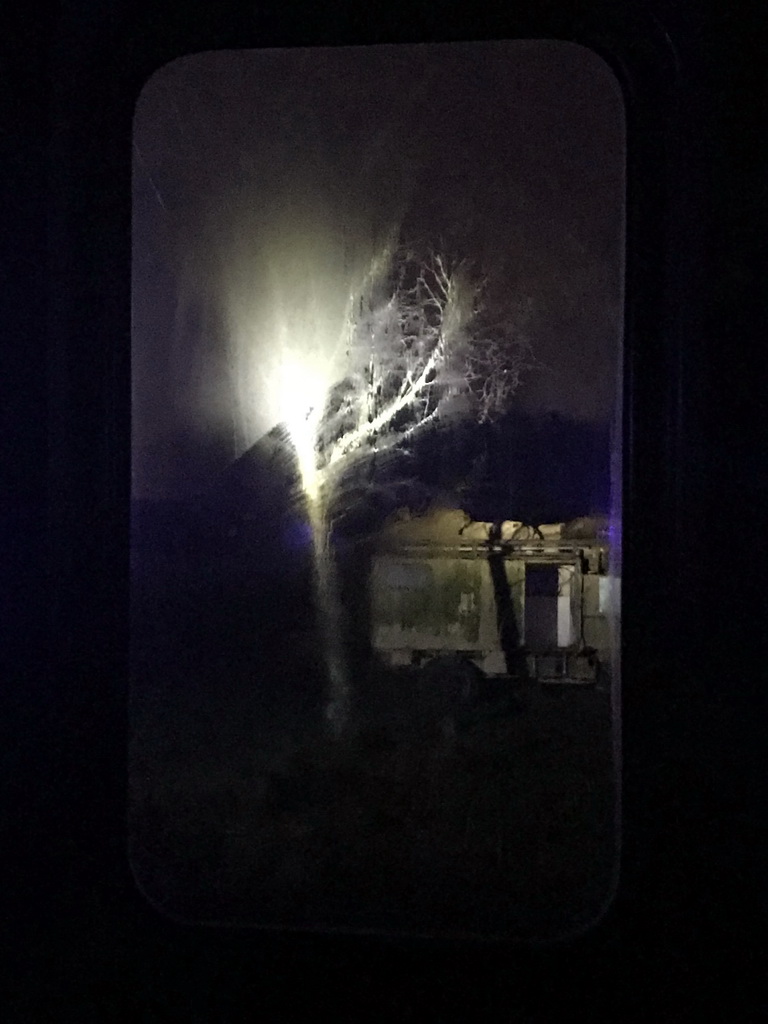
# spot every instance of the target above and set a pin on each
(534, 470)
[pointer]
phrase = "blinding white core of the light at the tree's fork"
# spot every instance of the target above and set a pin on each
(302, 397)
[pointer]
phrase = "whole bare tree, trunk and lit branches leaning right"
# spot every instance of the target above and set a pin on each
(425, 345)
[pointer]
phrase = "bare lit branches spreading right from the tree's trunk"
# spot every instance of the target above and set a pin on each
(424, 346)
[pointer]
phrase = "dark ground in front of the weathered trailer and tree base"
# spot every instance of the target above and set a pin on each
(492, 821)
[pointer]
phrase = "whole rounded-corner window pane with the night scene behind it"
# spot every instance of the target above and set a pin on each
(376, 508)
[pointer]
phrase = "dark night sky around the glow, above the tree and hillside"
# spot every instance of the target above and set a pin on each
(295, 164)
